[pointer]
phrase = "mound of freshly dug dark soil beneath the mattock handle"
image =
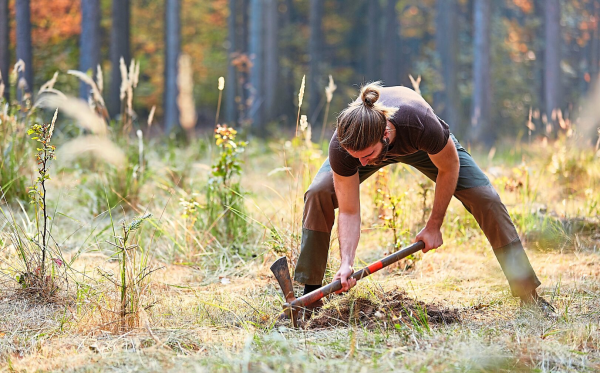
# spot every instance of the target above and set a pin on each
(394, 307)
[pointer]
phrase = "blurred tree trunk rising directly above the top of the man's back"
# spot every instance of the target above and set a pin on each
(391, 64)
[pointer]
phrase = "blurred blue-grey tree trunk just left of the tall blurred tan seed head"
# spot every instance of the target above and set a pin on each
(172, 52)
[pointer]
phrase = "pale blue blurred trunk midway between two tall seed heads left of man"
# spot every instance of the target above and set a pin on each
(256, 40)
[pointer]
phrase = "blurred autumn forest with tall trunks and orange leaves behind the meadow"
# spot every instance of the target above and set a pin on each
(489, 68)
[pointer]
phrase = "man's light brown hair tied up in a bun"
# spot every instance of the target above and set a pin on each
(362, 123)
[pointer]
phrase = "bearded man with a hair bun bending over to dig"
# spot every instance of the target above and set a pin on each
(388, 125)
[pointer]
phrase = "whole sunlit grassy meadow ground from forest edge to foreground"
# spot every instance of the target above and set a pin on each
(212, 304)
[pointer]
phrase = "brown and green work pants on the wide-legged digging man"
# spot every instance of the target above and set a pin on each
(473, 190)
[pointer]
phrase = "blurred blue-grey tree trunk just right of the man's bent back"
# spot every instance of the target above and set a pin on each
(446, 40)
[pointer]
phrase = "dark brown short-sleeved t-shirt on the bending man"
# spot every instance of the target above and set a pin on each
(417, 128)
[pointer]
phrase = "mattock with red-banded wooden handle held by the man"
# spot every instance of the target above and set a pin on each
(292, 304)
